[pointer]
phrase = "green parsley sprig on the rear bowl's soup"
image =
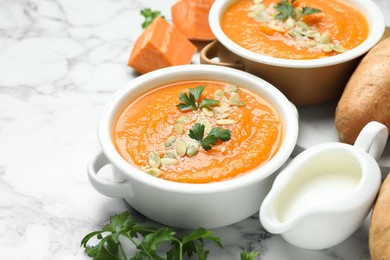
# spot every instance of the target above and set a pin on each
(286, 9)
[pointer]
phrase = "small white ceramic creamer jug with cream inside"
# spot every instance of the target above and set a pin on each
(325, 193)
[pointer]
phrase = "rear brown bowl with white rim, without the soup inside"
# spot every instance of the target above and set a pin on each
(304, 82)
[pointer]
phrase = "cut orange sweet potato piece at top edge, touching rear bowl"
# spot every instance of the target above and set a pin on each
(191, 18)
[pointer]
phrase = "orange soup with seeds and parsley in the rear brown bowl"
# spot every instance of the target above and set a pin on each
(295, 29)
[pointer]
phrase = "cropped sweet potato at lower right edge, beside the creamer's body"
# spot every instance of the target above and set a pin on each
(379, 233)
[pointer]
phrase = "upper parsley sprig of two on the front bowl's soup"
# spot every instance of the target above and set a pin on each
(190, 101)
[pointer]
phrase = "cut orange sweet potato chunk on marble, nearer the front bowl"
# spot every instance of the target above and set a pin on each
(160, 45)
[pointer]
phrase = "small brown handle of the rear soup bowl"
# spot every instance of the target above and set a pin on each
(212, 50)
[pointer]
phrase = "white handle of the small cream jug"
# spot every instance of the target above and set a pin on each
(372, 139)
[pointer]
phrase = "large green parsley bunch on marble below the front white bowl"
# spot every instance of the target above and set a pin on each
(110, 245)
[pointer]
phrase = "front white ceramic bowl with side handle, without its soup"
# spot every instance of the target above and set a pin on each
(190, 205)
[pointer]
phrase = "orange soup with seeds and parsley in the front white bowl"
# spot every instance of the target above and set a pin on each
(198, 131)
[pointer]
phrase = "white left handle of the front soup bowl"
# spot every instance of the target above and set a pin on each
(114, 189)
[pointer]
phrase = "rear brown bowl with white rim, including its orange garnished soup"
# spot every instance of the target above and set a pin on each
(306, 48)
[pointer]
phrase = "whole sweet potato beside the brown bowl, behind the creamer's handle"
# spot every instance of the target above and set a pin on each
(366, 96)
